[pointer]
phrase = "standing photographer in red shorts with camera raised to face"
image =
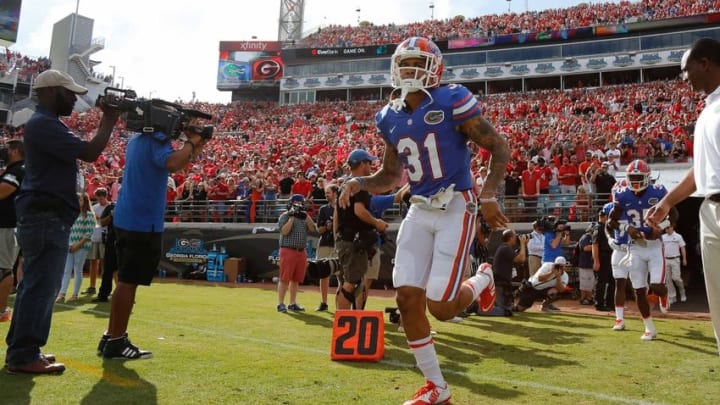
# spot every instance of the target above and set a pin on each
(294, 225)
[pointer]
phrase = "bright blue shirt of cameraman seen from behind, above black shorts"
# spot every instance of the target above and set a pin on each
(141, 203)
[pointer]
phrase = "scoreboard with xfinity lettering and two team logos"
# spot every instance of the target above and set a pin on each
(249, 64)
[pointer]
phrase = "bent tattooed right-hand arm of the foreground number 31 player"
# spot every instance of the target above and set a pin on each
(484, 134)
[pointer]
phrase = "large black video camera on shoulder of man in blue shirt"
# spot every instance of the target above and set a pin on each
(155, 115)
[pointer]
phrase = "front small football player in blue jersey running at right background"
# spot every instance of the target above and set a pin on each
(644, 255)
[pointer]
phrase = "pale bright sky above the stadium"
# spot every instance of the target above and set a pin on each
(170, 47)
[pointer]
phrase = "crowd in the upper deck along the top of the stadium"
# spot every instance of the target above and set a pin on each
(587, 14)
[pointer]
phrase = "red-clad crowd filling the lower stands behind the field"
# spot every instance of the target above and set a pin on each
(257, 145)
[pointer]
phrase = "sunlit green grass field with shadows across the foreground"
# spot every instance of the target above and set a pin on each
(220, 345)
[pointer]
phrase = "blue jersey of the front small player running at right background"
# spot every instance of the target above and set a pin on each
(635, 207)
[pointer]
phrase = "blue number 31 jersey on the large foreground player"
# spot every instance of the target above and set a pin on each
(432, 150)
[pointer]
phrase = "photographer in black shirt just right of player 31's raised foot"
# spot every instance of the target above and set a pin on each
(506, 257)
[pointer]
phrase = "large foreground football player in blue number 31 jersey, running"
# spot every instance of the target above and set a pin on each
(426, 129)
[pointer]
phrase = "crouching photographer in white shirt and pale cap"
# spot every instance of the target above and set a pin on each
(546, 284)
